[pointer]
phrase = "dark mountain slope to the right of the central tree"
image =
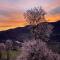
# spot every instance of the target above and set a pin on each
(56, 32)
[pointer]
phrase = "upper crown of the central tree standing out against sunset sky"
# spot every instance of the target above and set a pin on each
(35, 16)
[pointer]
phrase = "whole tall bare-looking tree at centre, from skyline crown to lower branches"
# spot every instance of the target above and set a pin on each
(36, 17)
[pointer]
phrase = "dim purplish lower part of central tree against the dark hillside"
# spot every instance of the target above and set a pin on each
(42, 31)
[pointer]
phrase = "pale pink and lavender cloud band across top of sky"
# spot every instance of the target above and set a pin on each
(26, 4)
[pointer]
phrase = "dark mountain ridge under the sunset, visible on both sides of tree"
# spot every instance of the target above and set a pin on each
(23, 33)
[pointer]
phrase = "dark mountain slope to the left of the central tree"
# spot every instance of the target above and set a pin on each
(19, 33)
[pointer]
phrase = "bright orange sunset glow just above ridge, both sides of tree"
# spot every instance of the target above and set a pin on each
(19, 21)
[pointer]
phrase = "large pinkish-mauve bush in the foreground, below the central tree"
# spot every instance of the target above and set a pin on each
(37, 50)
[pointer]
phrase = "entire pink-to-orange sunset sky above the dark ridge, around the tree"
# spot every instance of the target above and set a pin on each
(11, 11)
